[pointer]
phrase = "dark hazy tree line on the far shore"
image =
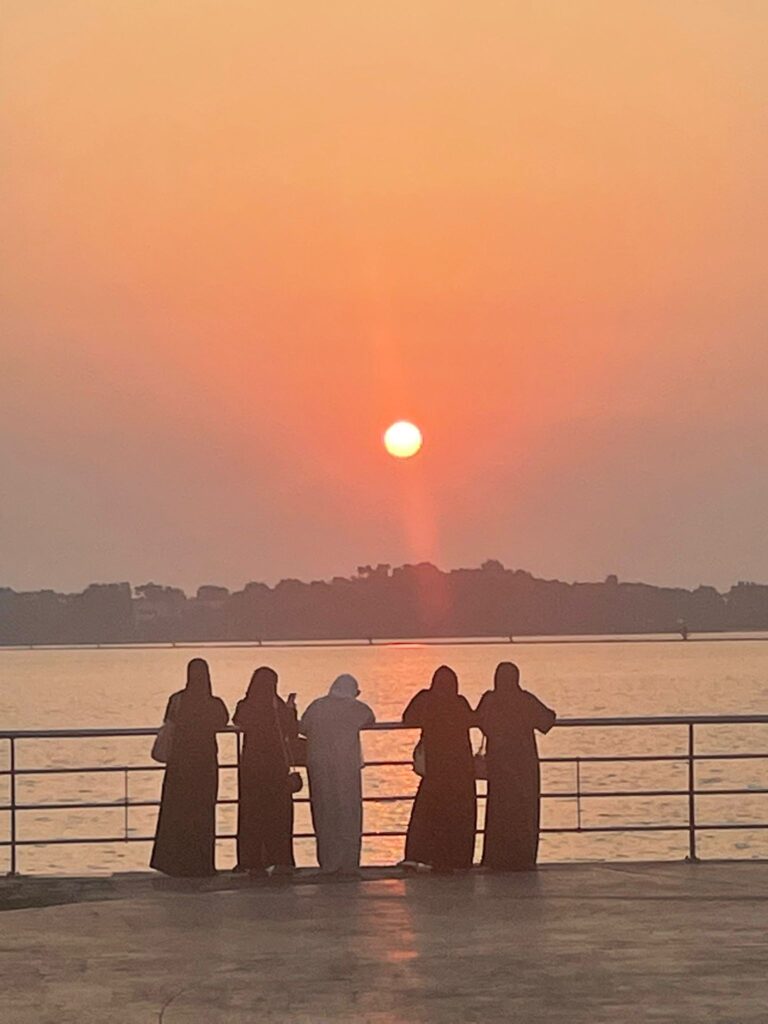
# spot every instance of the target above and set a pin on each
(377, 603)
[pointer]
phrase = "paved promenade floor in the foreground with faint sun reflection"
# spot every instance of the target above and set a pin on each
(598, 944)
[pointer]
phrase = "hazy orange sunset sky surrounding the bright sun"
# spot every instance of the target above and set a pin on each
(239, 239)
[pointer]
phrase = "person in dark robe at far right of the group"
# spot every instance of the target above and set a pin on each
(509, 716)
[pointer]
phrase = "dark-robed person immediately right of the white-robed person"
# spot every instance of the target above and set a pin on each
(442, 830)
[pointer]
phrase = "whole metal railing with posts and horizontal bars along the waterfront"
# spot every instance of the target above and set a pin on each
(689, 757)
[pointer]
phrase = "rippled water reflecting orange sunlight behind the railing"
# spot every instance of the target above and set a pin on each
(74, 689)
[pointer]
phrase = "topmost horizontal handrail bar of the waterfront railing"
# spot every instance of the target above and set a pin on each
(385, 727)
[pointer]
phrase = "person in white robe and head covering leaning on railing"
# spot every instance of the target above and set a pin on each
(332, 726)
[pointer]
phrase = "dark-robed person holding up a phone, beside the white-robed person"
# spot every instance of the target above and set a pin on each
(266, 802)
